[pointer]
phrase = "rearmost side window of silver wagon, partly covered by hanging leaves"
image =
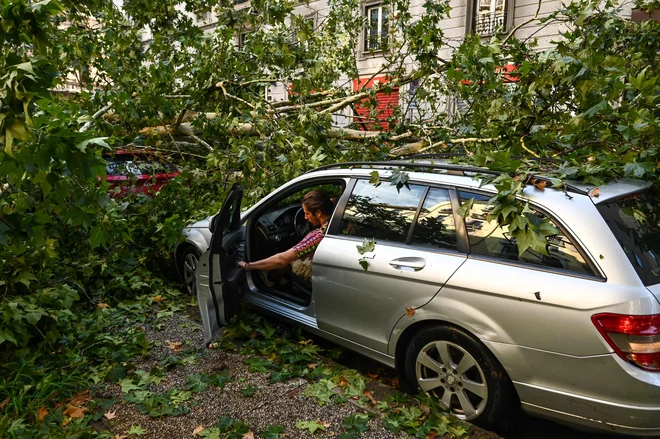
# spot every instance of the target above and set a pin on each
(489, 239)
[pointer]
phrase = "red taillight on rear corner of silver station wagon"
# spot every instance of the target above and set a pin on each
(634, 338)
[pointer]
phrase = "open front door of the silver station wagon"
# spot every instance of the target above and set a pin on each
(219, 280)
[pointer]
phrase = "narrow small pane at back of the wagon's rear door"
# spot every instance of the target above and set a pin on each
(435, 226)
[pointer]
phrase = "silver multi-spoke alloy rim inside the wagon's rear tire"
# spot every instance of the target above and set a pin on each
(448, 372)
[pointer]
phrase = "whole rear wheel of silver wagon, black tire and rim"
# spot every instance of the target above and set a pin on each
(465, 377)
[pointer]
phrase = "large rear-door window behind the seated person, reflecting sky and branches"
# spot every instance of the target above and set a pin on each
(381, 212)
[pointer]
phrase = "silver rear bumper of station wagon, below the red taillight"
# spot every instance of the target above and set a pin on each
(599, 392)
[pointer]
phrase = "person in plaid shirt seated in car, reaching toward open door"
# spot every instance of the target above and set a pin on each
(318, 208)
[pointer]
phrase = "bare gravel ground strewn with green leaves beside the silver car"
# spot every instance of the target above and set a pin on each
(281, 404)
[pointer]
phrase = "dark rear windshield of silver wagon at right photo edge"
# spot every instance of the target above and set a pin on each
(635, 222)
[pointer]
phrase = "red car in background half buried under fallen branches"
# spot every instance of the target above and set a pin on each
(137, 171)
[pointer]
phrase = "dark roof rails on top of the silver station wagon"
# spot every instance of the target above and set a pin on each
(452, 169)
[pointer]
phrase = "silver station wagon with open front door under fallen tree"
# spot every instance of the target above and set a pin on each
(572, 335)
